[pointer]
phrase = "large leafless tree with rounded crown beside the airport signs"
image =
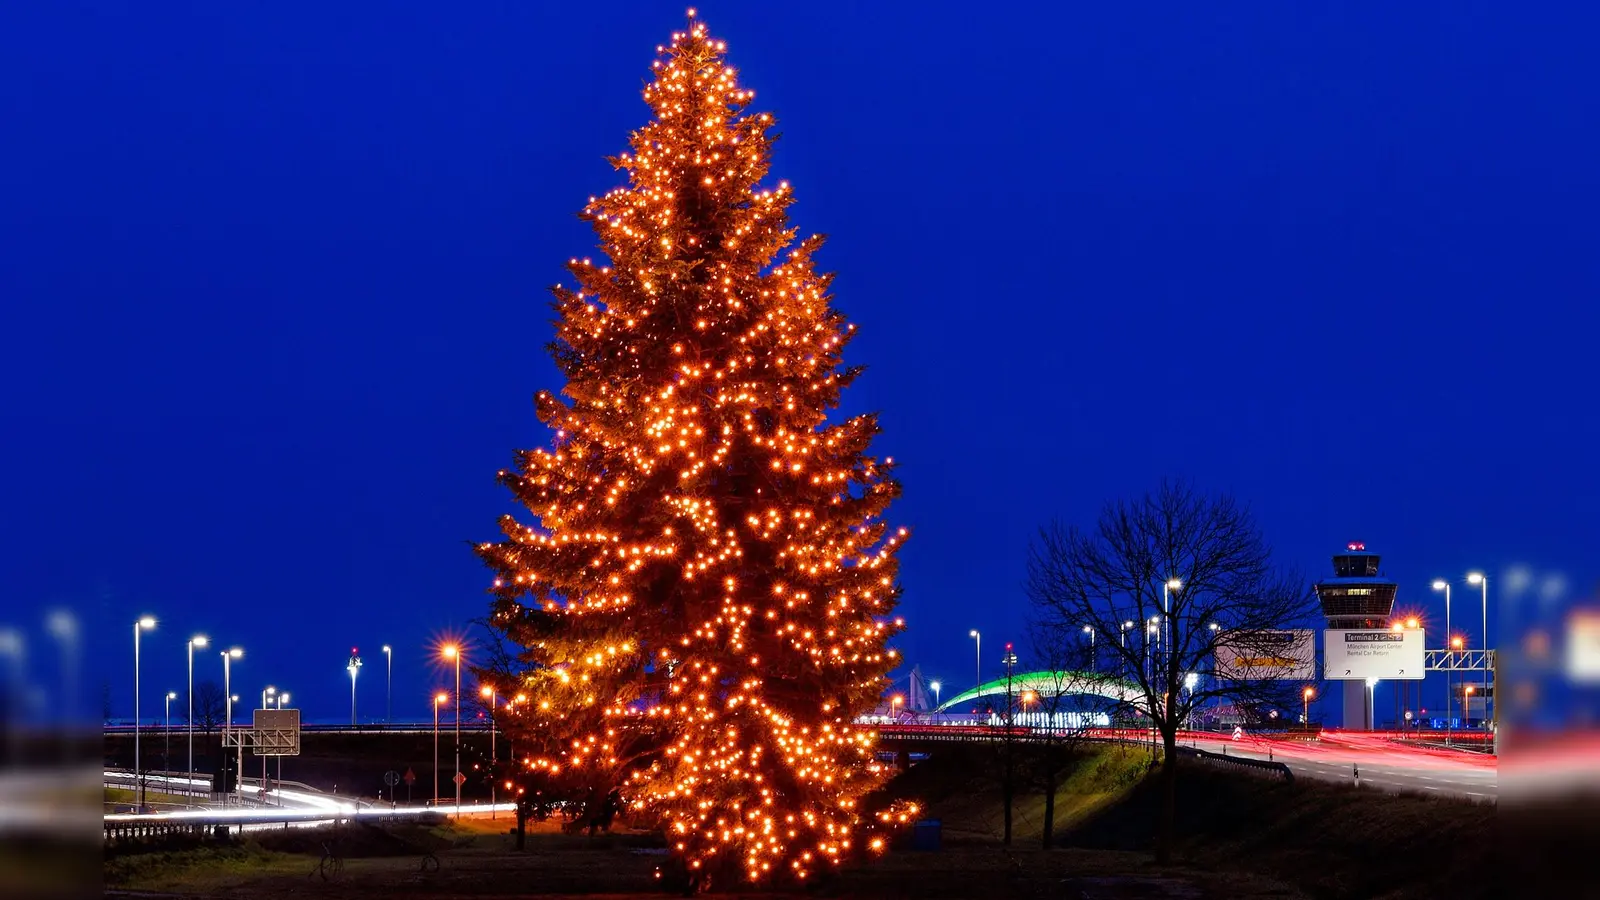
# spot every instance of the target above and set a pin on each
(1196, 574)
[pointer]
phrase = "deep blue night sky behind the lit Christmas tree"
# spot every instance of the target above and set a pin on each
(274, 302)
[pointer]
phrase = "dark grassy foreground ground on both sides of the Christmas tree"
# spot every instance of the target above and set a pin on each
(1242, 838)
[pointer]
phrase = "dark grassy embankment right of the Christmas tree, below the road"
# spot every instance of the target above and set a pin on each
(1330, 842)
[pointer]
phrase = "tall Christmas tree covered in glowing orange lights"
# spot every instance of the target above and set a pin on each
(705, 593)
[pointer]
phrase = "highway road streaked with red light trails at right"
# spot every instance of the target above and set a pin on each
(1383, 765)
